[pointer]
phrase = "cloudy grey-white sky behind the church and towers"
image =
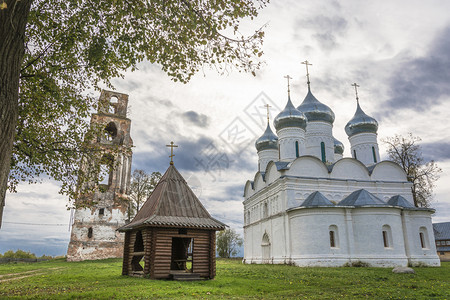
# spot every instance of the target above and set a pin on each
(397, 51)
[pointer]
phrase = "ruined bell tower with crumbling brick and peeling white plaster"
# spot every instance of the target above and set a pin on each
(103, 209)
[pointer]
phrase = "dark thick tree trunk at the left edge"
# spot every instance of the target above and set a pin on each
(13, 20)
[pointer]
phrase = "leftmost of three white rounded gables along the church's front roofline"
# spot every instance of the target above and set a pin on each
(309, 166)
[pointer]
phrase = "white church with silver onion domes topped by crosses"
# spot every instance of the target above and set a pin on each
(310, 206)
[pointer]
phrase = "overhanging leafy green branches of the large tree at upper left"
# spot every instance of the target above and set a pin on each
(72, 46)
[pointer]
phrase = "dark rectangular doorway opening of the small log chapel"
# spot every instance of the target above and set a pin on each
(182, 249)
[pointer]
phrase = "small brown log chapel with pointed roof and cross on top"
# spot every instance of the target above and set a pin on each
(172, 236)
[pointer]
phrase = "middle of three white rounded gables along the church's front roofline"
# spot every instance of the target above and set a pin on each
(349, 168)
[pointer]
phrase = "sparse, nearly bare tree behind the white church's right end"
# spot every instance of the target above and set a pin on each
(406, 152)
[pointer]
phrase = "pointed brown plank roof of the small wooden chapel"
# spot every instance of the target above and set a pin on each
(173, 204)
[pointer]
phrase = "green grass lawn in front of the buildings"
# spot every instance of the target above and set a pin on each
(58, 279)
